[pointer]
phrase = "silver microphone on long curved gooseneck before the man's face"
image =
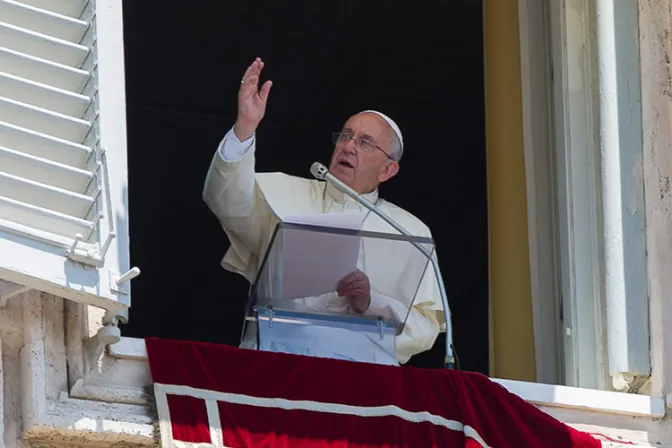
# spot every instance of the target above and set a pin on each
(321, 172)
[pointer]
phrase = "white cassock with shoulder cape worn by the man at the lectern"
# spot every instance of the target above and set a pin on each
(249, 205)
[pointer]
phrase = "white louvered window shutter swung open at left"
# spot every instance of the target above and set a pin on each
(63, 172)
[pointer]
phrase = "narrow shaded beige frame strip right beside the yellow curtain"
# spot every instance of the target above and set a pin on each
(537, 119)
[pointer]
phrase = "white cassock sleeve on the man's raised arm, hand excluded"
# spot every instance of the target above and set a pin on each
(232, 194)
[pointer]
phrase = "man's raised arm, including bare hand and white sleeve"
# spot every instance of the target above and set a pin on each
(230, 189)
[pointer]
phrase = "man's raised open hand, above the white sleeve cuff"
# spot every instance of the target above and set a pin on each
(251, 101)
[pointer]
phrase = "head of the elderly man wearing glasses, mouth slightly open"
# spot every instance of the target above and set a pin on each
(363, 161)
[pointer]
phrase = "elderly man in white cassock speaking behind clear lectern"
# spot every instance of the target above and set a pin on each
(249, 205)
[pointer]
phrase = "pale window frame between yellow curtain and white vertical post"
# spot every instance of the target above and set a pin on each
(563, 184)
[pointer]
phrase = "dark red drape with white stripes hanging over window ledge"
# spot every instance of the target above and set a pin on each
(210, 395)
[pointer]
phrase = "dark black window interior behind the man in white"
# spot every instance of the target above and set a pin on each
(421, 63)
